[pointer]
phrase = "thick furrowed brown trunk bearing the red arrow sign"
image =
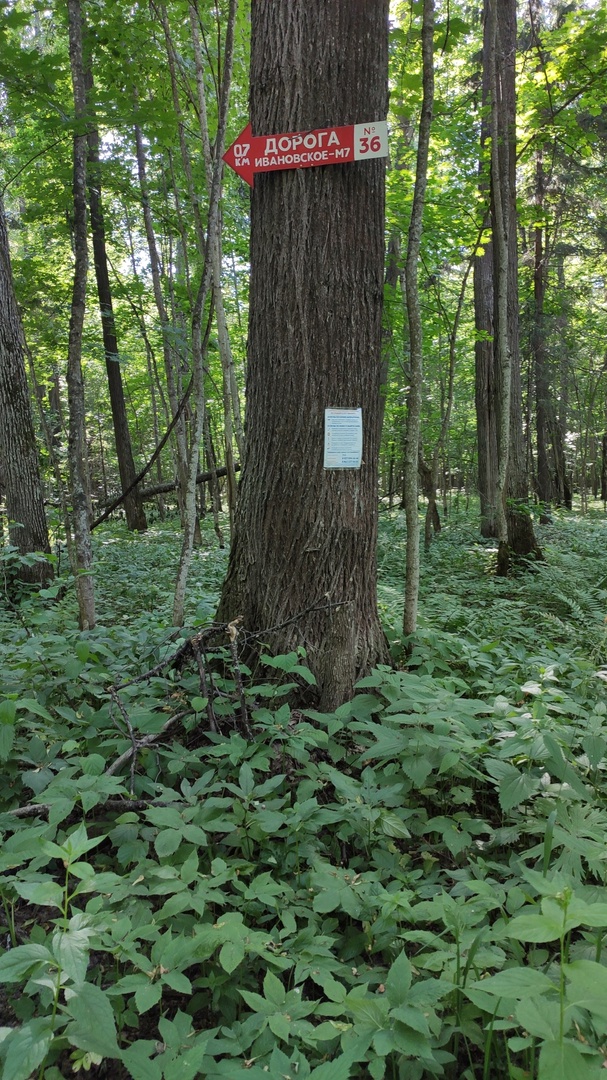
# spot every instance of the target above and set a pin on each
(303, 566)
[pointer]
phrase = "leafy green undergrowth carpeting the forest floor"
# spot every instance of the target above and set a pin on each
(200, 881)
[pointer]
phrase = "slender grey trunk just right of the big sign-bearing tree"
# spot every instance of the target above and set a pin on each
(414, 316)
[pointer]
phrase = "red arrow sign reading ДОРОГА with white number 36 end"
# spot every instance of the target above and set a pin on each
(325, 146)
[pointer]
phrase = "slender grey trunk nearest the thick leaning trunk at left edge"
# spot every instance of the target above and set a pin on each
(77, 442)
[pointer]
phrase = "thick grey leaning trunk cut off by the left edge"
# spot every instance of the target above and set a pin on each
(19, 453)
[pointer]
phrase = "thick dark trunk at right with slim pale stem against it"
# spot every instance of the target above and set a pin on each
(503, 470)
